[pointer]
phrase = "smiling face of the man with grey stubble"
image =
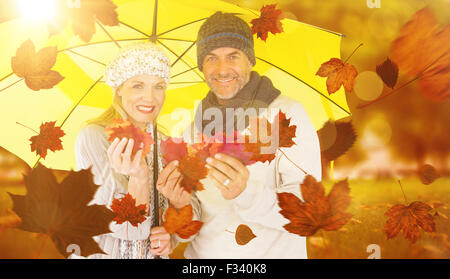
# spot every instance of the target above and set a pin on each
(226, 70)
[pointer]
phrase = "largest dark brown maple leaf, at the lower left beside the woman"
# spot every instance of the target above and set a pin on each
(61, 211)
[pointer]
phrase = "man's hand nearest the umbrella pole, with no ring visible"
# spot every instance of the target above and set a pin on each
(169, 184)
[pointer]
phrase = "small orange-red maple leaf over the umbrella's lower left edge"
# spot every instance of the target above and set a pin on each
(48, 138)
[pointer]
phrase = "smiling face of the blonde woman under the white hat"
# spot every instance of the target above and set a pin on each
(142, 98)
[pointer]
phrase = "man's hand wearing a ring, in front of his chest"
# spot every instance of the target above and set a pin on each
(228, 174)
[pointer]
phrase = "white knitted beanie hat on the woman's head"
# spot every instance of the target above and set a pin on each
(137, 59)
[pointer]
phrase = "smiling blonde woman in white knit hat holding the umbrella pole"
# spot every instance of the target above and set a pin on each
(139, 76)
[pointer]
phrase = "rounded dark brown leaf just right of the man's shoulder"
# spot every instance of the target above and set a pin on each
(336, 138)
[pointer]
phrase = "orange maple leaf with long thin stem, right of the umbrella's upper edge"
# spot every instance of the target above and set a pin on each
(338, 74)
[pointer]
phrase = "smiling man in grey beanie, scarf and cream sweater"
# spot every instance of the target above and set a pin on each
(236, 194)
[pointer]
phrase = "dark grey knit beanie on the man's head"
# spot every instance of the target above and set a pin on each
(224, 30)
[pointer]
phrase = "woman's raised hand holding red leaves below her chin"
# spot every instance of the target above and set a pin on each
(119, 155)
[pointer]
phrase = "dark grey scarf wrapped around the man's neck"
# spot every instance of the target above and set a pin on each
(258, 93)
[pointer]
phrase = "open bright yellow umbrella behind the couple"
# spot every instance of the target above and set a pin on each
(290, 59)
